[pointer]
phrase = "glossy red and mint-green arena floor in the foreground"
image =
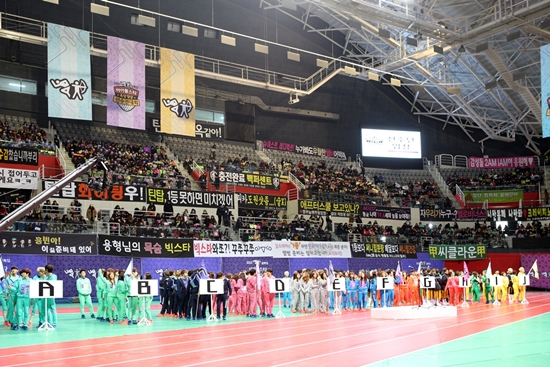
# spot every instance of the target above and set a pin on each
(481, 335)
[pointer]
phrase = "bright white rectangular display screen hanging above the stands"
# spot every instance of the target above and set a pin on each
(391, 144)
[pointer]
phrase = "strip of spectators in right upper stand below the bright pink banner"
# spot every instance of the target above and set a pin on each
(518, 177)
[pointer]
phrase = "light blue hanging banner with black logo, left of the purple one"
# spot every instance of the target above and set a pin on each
(69, 73)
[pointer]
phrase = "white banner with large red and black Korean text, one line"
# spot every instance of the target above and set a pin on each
(232, 249)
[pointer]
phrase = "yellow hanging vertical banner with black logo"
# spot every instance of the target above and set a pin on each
(177, 92)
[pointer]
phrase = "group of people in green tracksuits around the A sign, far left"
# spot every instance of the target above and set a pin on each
(16, 303)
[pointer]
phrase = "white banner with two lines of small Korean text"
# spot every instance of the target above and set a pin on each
(310, 249)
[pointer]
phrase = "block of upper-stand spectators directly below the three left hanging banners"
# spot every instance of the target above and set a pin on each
(130, 164)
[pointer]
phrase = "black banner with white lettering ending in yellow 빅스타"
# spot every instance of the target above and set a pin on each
(144, 247)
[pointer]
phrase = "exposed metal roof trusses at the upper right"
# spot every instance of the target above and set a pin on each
(471, 63)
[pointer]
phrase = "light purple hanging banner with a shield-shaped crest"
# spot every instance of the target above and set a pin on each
(125, 83)
